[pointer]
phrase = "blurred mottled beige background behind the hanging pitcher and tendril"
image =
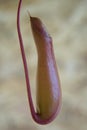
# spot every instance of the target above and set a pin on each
(66, 21)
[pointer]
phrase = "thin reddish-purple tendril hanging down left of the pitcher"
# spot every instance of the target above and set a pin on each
(24, 61)
